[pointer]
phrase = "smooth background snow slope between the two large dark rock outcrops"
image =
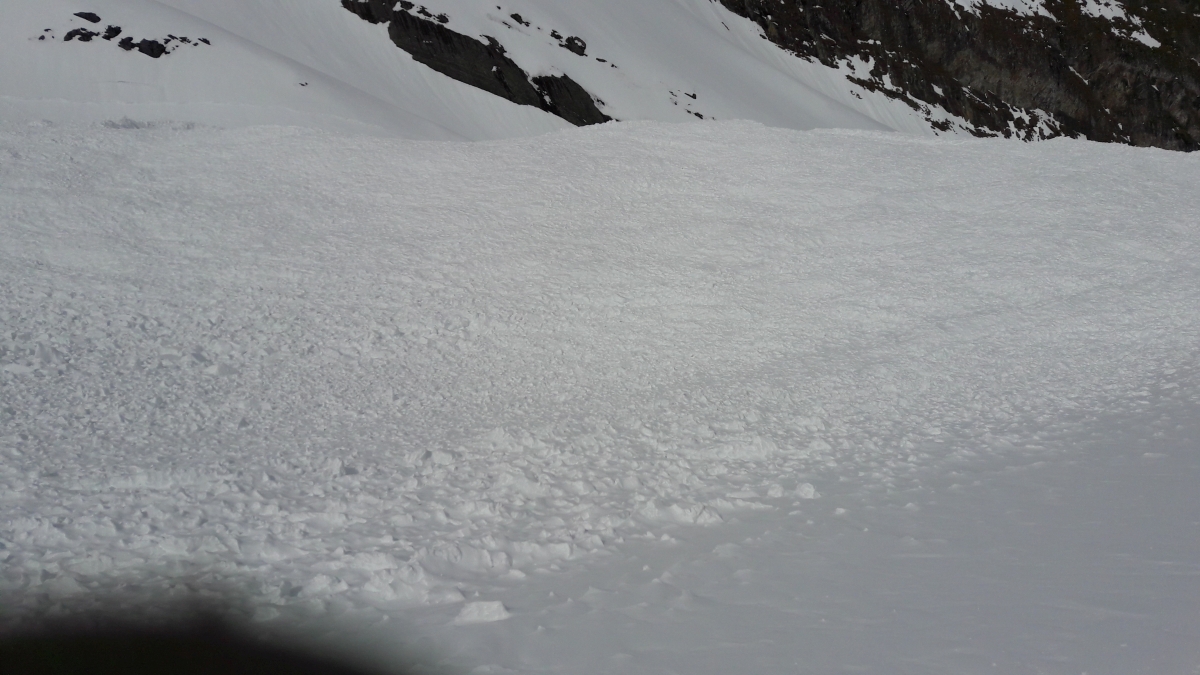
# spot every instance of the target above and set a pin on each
(671, 62)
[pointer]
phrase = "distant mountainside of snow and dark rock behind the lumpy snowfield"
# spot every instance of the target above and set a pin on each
(1119, 71)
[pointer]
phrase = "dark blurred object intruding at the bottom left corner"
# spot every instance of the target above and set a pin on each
(200, 648)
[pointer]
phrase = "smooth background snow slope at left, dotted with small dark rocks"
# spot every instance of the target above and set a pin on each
(242, 79)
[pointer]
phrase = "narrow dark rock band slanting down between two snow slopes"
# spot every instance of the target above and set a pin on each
(483, 65)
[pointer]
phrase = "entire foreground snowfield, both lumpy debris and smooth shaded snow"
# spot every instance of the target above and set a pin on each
(640, 398)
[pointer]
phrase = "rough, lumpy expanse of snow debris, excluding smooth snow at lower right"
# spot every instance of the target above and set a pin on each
(356, 375)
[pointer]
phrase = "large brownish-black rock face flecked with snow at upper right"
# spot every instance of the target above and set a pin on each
(1089, 76)
